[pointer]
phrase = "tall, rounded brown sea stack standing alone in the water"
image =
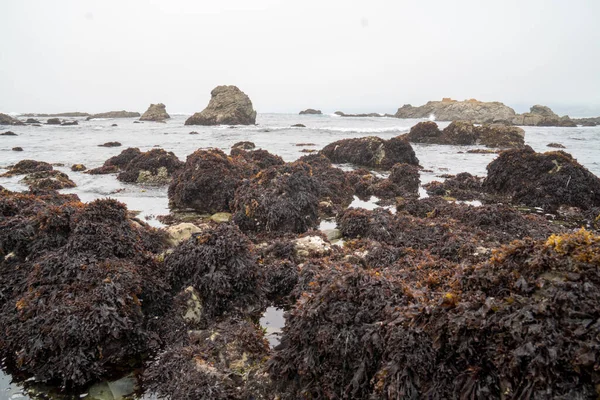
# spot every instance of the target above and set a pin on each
(228, 106)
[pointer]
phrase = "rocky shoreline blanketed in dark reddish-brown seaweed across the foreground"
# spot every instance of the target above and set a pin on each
(401, 299)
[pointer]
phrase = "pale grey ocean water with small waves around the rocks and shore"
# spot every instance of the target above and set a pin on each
(69, 145)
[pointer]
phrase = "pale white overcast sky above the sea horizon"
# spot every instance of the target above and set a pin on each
(289, 55)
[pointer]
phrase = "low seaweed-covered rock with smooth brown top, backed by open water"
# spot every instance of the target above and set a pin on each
(371, 152)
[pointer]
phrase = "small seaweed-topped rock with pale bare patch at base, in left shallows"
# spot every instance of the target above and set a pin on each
(154, 167)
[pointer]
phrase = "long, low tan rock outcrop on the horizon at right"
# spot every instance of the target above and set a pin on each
(452, 110)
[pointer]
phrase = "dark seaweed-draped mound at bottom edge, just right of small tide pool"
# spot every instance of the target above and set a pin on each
(333, 339)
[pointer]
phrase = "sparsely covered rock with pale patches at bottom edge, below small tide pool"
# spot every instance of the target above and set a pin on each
(223, 362)
